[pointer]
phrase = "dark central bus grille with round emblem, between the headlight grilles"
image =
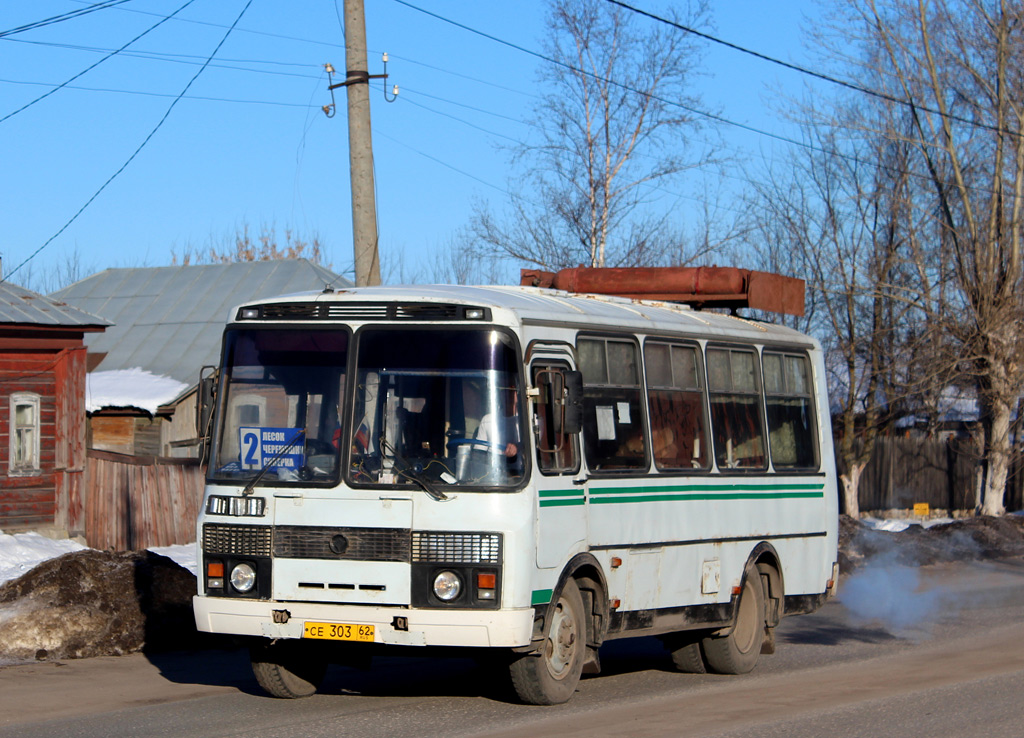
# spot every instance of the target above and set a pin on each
(334, 543)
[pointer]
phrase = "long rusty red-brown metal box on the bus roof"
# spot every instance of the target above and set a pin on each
(699, 287)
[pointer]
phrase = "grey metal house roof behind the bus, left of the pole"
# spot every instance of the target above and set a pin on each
(169, 320)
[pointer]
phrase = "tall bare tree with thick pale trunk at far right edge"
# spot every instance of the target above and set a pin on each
(957, 66)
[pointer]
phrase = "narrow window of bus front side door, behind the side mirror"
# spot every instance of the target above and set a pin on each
(558, 451)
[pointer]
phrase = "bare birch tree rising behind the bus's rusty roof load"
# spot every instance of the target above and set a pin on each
(610, 133)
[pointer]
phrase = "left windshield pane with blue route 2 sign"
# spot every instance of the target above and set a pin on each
(281, 410)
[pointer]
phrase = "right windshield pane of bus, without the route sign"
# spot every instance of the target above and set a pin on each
(438, 409)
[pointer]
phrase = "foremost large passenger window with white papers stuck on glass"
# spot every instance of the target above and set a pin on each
(613, 427)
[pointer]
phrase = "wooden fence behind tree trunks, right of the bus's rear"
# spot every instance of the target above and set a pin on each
(906, 471)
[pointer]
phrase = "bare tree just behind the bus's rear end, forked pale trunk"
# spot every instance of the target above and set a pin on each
(838, 216)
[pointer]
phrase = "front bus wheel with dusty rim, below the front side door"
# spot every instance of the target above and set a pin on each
(552, 676)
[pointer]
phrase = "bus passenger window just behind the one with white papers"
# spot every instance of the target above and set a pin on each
(676, 400)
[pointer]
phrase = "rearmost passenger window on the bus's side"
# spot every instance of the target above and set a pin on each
(791, 411)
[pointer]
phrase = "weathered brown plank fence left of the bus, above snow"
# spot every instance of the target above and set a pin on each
(141, 502)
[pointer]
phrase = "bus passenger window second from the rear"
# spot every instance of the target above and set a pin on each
(736, 409)
